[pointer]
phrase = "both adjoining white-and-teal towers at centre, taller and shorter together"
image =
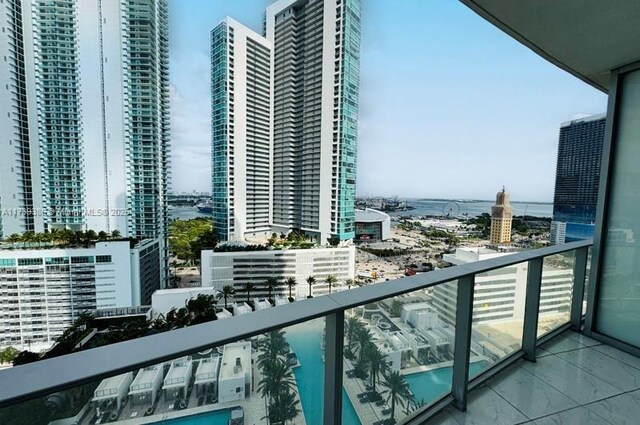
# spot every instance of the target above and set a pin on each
(313, 48)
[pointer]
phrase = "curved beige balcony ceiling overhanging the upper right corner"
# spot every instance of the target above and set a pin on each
(584, 37)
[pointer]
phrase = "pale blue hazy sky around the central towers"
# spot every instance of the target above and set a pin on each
(450, 107)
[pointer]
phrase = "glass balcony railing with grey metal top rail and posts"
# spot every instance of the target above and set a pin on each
(393, 352)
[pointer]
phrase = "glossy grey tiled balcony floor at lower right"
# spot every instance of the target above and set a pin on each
(576, 380)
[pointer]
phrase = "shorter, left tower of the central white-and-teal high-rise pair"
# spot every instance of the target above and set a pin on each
(240, 131)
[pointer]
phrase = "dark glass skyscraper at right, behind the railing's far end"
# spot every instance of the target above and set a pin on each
(577, 178)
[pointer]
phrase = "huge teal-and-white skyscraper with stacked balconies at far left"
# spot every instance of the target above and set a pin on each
(86, 111)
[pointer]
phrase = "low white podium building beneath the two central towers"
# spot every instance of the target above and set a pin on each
(239, 267)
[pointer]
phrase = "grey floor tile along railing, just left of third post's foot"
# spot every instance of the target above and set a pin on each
(528, 394)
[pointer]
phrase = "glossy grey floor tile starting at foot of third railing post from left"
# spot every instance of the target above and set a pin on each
(569, 379)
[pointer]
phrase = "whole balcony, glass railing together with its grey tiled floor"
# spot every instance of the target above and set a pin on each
(445, 359)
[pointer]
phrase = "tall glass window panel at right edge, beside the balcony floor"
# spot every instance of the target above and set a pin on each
(618, 312)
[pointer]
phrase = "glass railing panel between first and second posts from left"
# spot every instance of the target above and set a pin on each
(399, 349)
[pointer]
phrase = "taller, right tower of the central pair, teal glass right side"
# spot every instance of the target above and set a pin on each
(315, 121)
